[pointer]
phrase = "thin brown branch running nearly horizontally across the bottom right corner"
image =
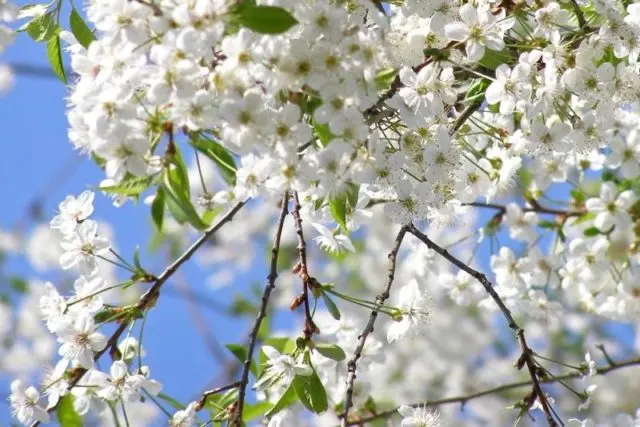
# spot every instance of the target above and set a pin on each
(498, 389)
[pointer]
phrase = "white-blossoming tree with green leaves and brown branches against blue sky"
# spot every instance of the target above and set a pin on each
(375, 147)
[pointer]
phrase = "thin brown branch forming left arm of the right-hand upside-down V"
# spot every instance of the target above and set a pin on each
(380, 299)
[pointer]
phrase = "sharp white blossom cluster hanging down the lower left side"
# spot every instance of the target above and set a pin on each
(72, 321)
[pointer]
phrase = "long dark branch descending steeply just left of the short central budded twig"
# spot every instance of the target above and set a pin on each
(253, 336)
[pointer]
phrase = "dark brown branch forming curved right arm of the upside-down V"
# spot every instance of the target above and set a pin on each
(526, 358)
